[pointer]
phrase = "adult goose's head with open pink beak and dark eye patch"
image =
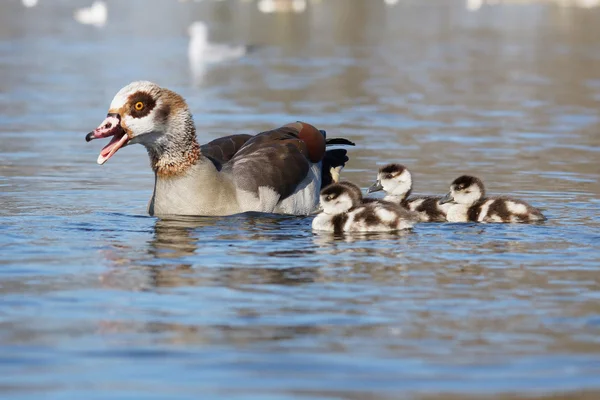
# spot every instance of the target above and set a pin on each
(143, 112)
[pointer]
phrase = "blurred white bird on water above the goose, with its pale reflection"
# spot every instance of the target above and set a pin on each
(202, 53)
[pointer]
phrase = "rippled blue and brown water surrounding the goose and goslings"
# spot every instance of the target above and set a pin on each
(99, 300)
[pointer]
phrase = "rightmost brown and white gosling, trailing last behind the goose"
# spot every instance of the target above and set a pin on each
(469, 204)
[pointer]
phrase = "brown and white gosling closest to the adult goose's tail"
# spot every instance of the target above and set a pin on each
(344, 211)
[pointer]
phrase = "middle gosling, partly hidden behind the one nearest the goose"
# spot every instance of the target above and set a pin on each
(396, 181)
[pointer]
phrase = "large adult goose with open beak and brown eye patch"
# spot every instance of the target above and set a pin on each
(277, 171)
